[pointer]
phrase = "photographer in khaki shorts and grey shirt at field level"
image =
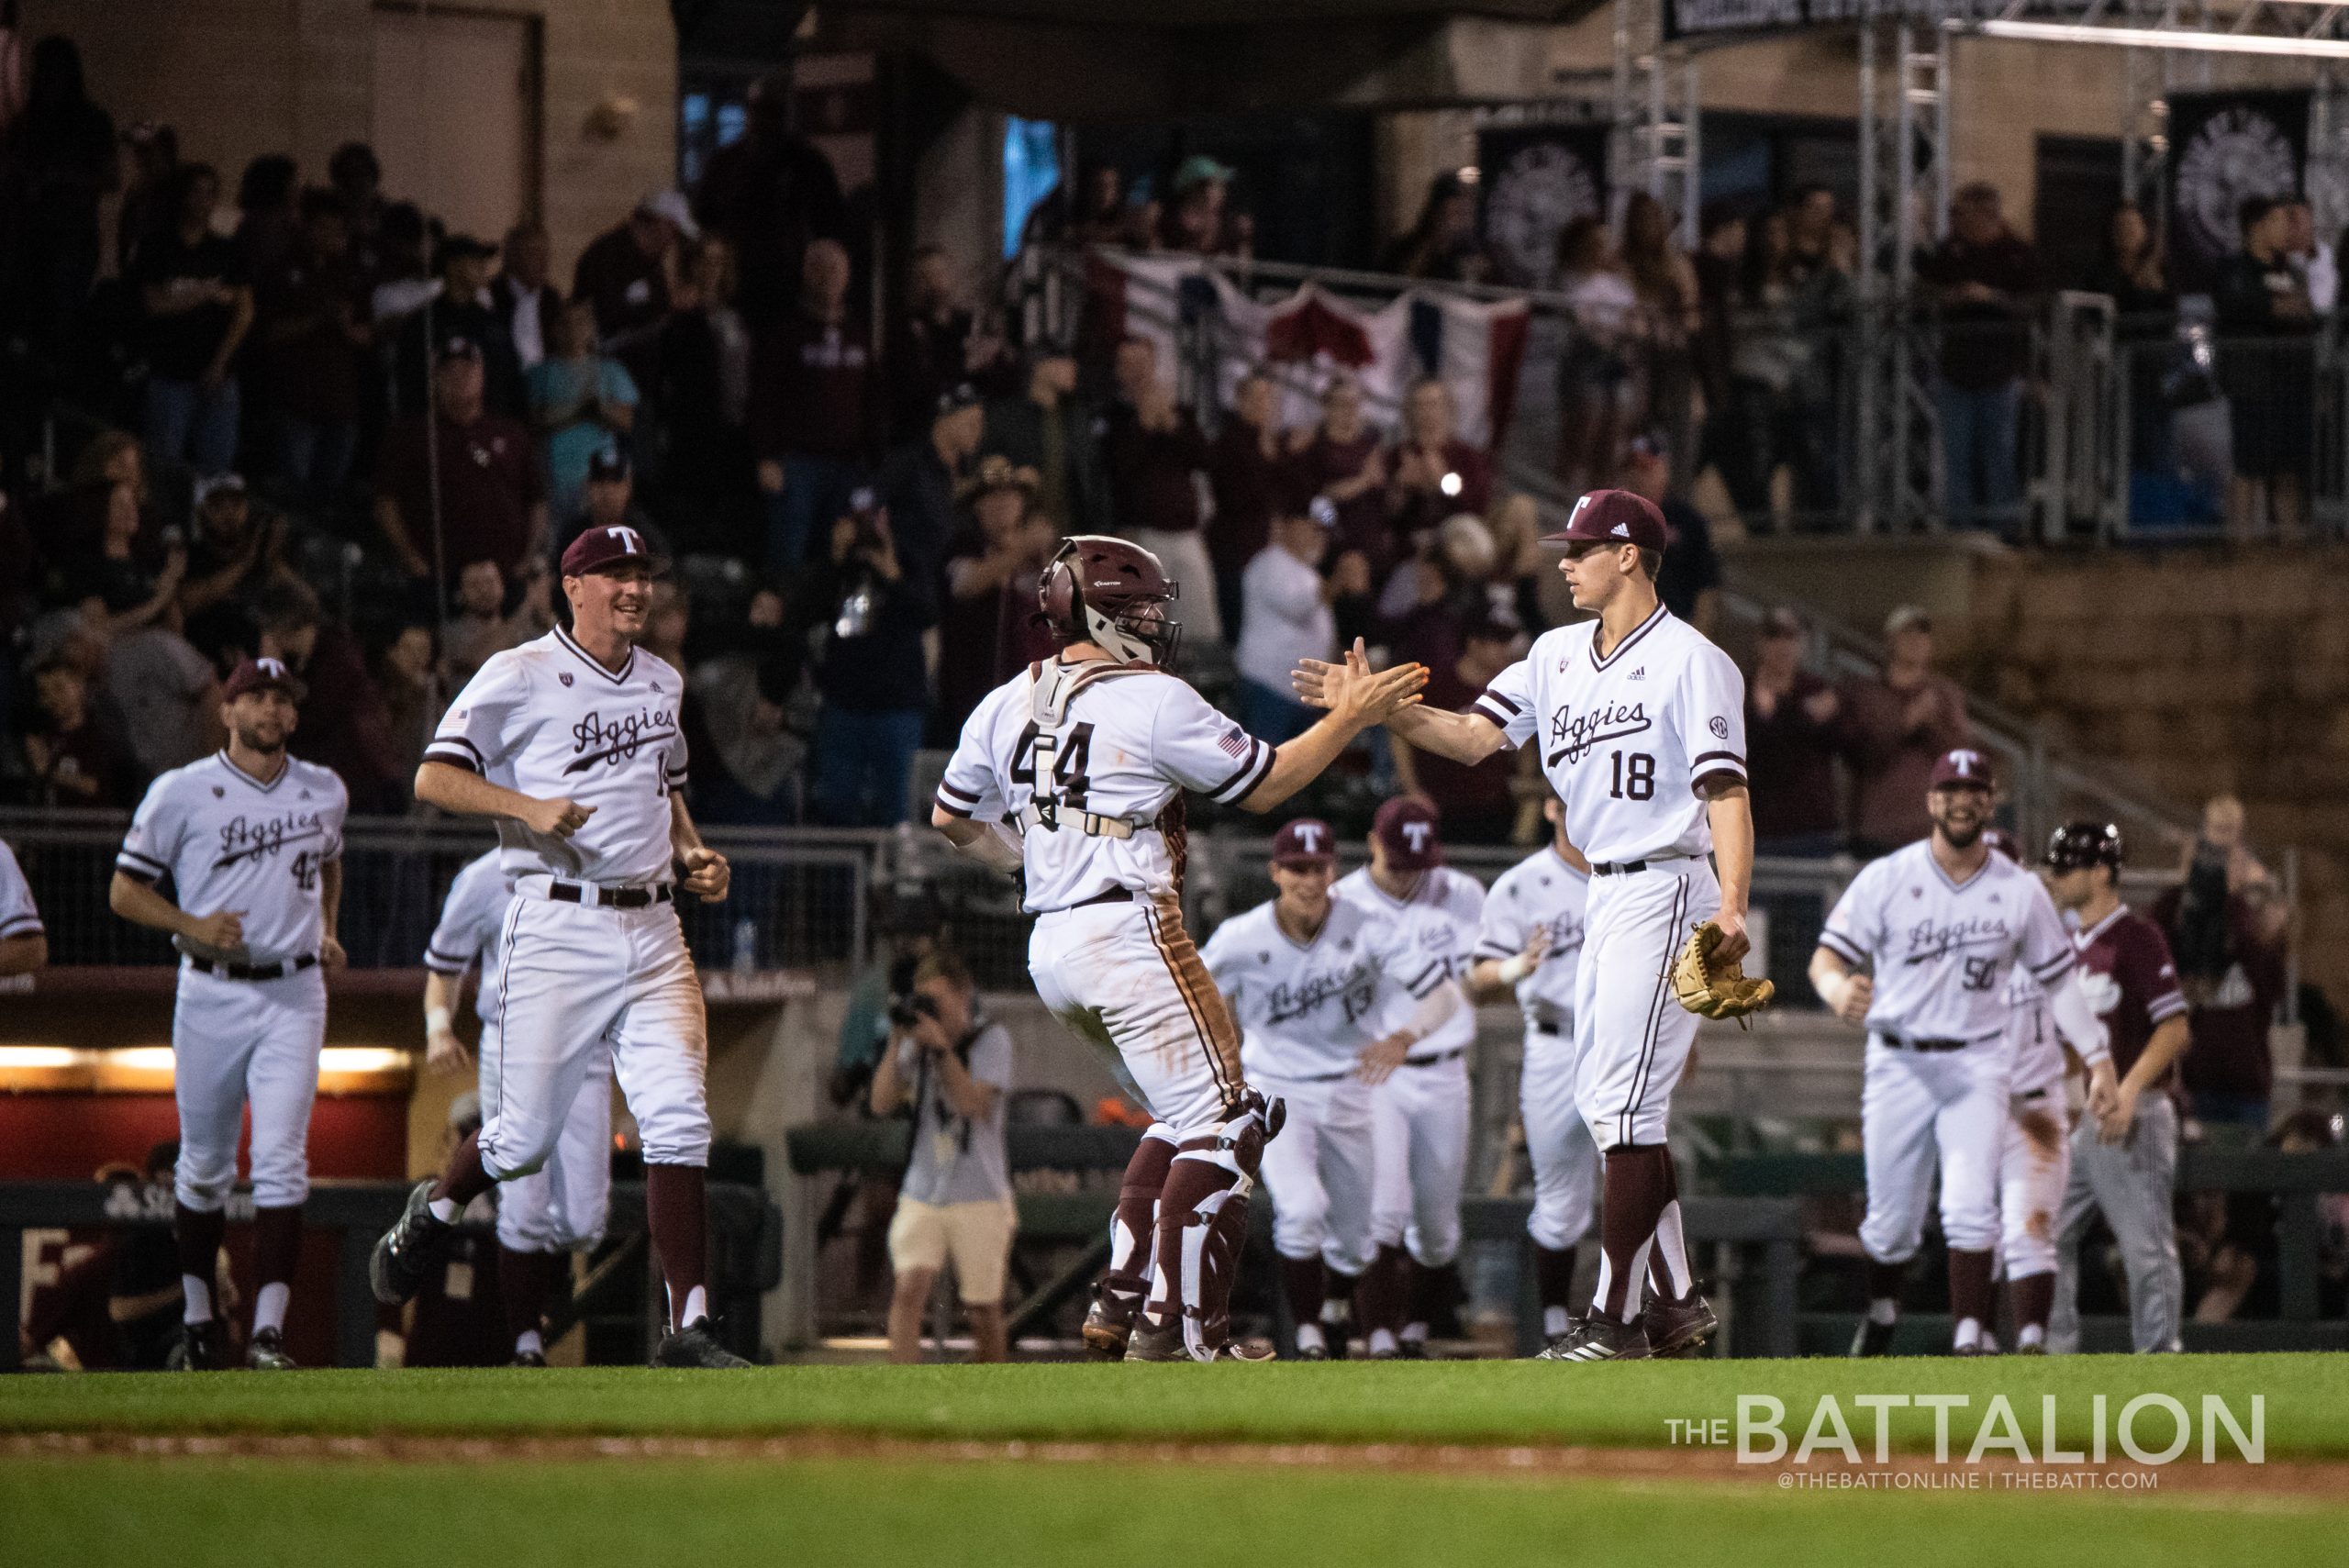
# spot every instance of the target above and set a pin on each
(953, 1067)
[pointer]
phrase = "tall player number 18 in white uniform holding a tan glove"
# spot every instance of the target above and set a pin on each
(1643, 736)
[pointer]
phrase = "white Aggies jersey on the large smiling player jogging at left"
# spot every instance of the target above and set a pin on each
(553, 724)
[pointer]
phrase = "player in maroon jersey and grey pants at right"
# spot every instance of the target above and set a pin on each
(2125, 1156)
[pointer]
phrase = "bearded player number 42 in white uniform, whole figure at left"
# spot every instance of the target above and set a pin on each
(253, 842)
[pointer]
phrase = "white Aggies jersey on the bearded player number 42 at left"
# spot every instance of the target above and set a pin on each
(234, 844)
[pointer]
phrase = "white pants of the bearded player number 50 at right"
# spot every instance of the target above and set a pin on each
(1925, 1104)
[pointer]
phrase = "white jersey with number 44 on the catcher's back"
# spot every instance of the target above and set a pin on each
(1126, 743)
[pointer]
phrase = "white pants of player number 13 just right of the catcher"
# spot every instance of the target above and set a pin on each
(1321, 1170)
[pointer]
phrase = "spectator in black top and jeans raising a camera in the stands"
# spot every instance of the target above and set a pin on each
(863, 609)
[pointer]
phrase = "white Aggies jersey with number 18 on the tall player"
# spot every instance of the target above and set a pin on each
(1627, 738)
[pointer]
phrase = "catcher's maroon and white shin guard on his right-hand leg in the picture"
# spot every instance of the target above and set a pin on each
(1204, 1224)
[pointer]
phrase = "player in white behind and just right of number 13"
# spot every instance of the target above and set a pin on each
(1420, 1116)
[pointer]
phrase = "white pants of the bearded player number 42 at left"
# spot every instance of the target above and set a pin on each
(238, 1043)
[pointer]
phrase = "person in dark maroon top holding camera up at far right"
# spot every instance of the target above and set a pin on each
(2228, 928)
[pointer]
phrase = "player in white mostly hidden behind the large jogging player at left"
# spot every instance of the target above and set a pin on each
(560, 1208)
